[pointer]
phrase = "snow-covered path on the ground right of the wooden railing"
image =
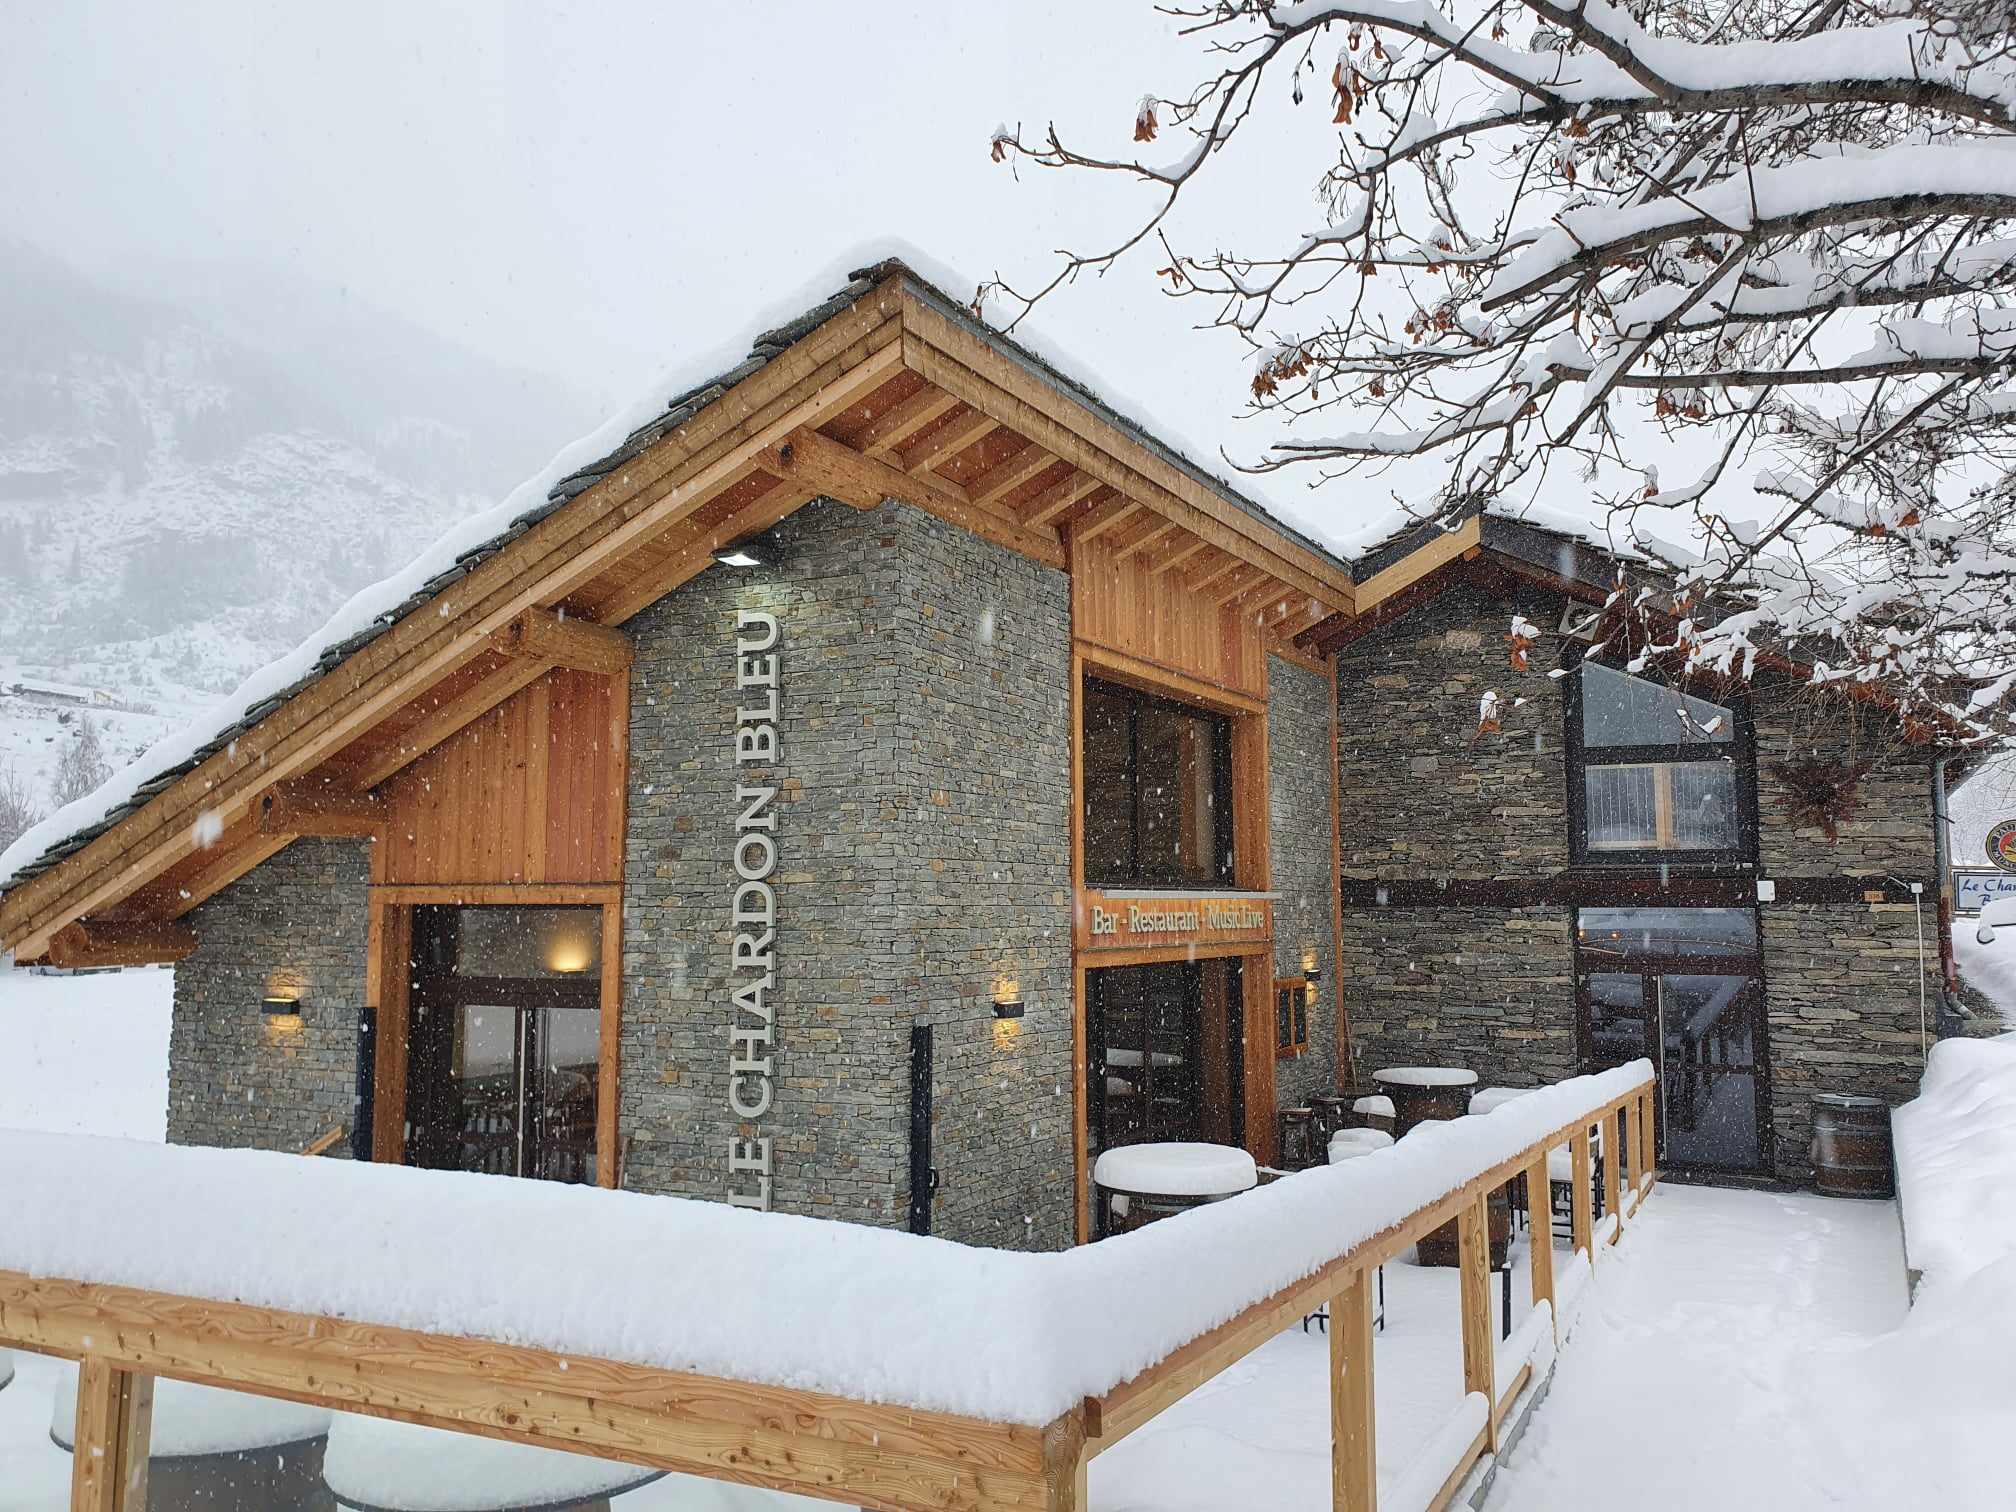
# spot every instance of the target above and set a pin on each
(1753, 1352)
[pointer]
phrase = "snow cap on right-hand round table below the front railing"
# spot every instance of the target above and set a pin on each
(382, 1467)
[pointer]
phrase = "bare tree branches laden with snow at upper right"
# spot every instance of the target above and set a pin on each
(1745, 265)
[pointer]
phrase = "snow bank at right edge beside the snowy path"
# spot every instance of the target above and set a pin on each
(1957, 1162)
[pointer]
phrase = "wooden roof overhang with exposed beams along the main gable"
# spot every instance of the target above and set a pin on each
(896, 394)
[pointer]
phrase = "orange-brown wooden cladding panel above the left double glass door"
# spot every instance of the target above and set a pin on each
(529, 793)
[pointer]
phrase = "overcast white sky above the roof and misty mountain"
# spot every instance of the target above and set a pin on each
(596, 188)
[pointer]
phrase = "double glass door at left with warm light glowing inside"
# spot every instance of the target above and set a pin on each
(505, 1041)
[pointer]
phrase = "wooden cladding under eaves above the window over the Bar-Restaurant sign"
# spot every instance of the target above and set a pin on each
(1122, 606)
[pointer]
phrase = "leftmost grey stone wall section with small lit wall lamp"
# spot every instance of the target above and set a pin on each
(297, 928)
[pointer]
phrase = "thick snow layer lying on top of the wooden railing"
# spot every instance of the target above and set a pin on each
(723, 1291)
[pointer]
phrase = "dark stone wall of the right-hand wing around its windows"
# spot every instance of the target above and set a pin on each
(1493, 989)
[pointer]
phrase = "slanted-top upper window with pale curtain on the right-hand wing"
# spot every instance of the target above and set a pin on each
(1656, 773)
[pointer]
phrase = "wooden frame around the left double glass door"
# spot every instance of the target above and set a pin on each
(388, 991)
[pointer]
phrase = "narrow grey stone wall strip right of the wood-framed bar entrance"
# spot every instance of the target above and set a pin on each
(1303, 864)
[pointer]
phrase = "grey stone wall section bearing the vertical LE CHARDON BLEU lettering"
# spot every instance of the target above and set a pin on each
(922, 862)
